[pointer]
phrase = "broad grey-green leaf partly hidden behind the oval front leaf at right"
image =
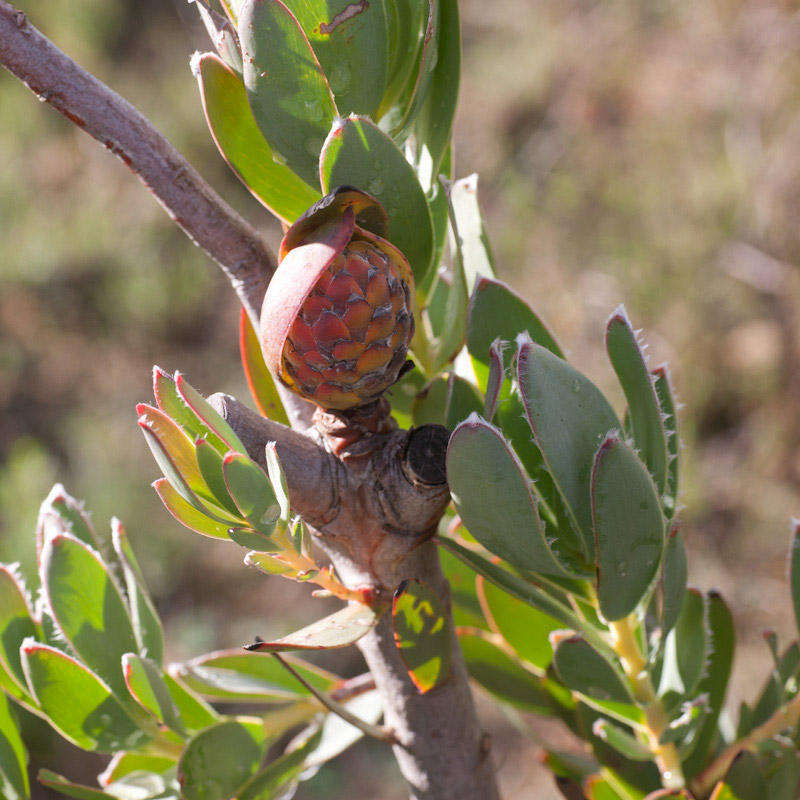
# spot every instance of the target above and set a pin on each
(569, 418)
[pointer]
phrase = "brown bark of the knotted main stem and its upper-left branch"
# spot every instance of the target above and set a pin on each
(373, 506)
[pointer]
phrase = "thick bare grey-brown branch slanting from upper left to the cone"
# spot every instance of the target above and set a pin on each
(202, 214)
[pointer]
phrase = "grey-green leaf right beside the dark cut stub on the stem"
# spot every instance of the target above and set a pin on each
(496, 503)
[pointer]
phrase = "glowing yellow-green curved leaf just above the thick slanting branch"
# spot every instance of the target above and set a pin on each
(242, 145)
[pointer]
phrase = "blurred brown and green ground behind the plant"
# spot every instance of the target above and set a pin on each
(639, 152)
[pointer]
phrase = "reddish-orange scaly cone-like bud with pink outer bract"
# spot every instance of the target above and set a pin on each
(337, 321)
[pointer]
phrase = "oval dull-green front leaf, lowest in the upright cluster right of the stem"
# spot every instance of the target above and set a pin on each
(629, 528)
